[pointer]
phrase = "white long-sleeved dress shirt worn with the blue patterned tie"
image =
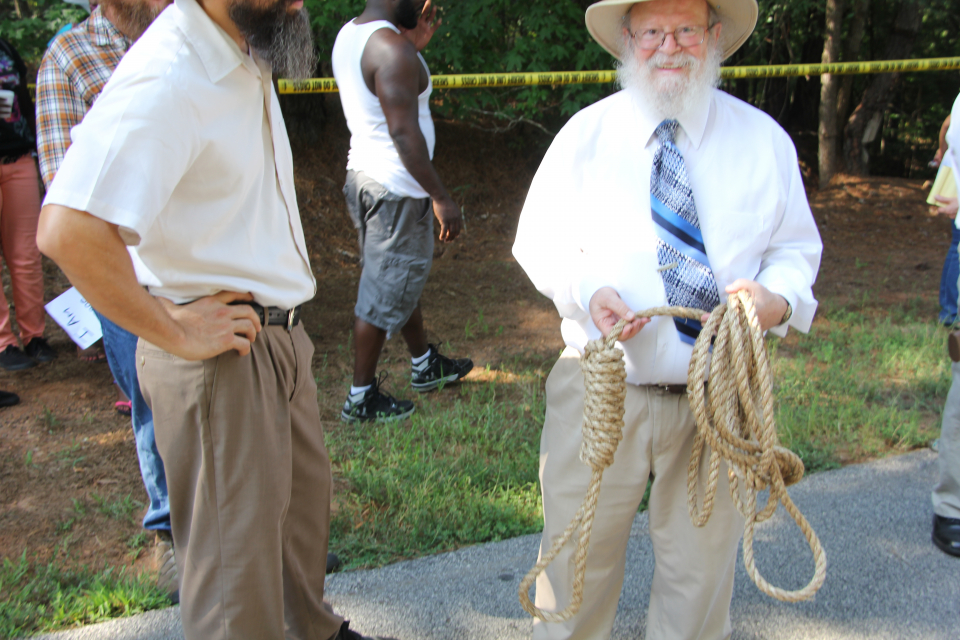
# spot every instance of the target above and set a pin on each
(586, 222)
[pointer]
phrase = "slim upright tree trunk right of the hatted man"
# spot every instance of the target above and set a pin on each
(828, 133)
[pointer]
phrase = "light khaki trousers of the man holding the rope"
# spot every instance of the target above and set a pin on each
(693, 576)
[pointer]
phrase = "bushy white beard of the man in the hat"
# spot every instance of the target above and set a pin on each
(666, 98)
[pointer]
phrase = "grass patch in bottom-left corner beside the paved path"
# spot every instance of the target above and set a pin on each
(37, 598)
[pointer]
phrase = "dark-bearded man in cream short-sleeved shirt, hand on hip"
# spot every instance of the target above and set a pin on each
(185, 156)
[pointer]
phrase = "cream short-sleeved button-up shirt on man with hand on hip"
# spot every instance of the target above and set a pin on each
(186, 151)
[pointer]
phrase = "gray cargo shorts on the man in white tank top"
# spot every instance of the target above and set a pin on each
(396, 249)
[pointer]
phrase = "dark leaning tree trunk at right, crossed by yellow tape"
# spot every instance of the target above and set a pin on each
(864, 123)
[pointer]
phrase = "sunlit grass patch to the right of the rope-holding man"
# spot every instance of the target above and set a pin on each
(858, 386)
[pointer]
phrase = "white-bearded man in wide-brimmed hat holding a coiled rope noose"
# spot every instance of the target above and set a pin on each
(669, 192)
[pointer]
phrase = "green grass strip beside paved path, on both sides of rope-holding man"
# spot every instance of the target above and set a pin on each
(464, 471)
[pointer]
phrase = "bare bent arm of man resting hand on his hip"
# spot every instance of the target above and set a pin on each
(94, 257)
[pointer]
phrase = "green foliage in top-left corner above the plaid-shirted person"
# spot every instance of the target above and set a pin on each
(38, 21)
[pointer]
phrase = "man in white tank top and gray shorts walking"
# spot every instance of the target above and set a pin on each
(391, 190)
